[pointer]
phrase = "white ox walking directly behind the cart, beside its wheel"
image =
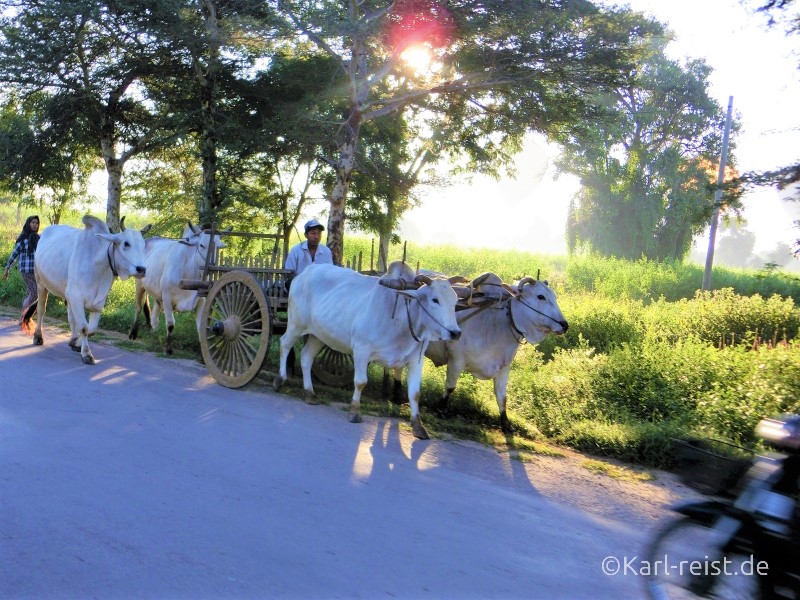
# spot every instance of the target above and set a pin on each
(167, 262)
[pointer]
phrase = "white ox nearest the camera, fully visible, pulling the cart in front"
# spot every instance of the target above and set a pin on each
(354, 314)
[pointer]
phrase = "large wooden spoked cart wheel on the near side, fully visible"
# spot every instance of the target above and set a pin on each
(236, 329)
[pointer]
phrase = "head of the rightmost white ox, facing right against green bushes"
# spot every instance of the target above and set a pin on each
(535, 312)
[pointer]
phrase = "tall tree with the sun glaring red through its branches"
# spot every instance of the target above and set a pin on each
(531, 63)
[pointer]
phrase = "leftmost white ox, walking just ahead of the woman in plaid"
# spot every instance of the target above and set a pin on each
(79, 265)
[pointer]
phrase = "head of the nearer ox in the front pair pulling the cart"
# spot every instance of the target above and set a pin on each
(436, 318)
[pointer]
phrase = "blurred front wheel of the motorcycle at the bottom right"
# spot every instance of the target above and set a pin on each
(683, 561)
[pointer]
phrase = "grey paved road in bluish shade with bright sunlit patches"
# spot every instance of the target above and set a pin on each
(140, 477)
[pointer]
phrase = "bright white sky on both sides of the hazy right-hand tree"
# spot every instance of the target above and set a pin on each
(754, 65)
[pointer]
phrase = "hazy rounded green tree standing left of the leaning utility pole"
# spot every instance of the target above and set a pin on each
(647, 167)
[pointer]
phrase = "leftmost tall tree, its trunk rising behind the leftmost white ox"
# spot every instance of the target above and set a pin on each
(92, 58)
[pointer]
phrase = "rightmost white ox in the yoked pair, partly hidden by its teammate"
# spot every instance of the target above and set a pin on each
(491, 336)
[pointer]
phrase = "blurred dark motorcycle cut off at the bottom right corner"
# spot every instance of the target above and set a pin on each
(742, 542)
